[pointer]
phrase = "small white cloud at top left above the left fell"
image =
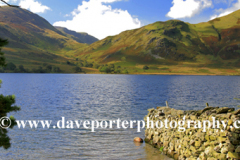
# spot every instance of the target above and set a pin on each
(33, 6)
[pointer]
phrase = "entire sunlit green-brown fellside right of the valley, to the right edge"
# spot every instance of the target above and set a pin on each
(173, 40)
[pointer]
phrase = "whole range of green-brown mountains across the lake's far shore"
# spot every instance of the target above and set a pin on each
(171, 47)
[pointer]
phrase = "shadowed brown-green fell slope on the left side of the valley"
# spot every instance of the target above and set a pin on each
(33, 40)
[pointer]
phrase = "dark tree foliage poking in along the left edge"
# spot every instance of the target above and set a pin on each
(6, 105)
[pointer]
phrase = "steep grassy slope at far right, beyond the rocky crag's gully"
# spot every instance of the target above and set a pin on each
(222, 35)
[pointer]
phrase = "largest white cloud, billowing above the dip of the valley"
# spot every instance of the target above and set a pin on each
(97, 18)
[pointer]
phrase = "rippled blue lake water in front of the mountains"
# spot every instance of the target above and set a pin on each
(102, 97)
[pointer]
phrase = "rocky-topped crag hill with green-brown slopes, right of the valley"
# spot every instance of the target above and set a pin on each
(160, 40)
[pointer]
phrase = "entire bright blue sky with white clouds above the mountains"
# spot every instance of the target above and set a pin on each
(102, 18)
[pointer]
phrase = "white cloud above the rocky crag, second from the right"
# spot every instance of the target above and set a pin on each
(187, 8)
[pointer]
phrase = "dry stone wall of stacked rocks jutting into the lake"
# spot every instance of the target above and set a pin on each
(193, 143)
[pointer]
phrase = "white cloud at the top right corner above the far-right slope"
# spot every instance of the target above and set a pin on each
(223, 12)
